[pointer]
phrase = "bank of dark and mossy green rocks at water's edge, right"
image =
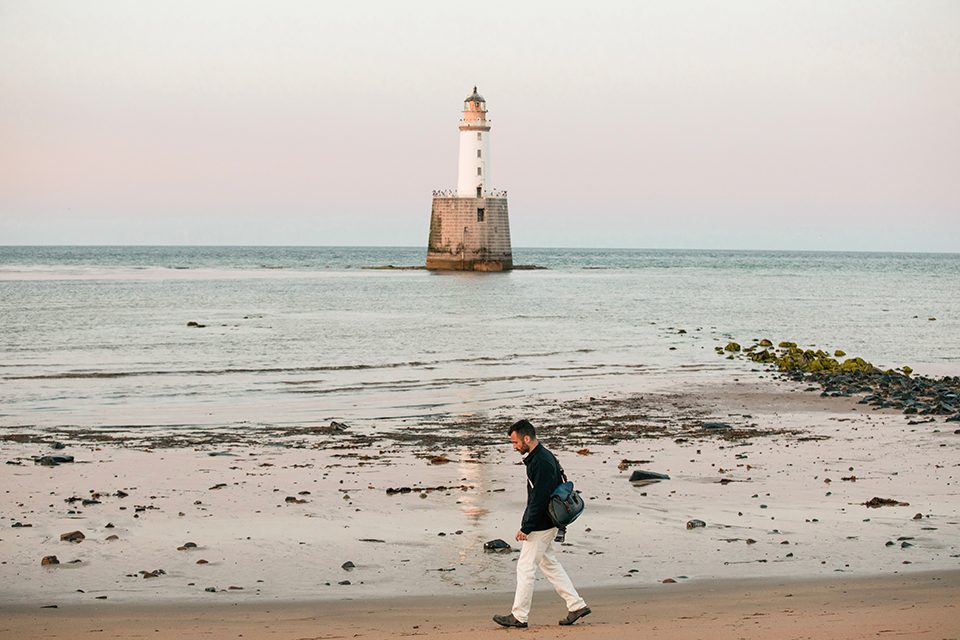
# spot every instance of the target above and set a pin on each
(881, 388)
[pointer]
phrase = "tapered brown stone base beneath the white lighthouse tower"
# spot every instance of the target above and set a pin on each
(469, 234)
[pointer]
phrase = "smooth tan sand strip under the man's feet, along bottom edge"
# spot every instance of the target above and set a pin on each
(918, 605)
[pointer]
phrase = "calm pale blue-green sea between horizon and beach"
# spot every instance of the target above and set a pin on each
(105, 337)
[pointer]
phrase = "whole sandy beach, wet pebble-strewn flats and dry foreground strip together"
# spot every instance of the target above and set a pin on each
(781, 491)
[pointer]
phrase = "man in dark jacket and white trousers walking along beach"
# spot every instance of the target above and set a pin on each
(537, 532)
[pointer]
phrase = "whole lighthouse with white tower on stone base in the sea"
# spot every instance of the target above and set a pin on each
(469, 227)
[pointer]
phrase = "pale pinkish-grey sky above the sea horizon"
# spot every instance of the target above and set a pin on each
(824, 125)
